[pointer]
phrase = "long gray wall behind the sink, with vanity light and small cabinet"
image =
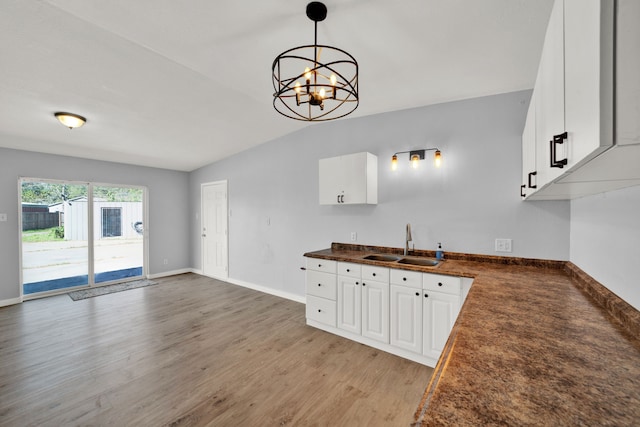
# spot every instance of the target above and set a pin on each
(470, 201)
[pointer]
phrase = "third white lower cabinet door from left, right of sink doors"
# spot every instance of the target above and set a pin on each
(406, 318)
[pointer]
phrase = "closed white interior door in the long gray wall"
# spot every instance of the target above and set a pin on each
(214, 230)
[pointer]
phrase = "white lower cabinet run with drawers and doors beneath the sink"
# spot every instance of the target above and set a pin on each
(407, 313)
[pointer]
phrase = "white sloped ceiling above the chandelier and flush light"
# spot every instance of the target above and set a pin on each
(181, 84)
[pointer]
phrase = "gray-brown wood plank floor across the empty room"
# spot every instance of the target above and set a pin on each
(192, 351)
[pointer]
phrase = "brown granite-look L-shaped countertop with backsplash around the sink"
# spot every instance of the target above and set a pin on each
(536, 343)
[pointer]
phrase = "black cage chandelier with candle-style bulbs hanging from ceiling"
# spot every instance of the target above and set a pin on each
(315, 82)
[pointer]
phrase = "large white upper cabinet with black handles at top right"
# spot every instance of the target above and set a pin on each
(573, 103)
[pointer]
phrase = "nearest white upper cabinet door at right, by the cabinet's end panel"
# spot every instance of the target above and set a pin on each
(588, 65)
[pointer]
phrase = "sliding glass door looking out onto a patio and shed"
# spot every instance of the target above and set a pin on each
(79, 235)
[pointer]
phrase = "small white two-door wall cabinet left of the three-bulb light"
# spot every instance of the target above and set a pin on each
(349, 179)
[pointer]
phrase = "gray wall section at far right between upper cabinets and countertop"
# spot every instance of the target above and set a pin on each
(605, 240)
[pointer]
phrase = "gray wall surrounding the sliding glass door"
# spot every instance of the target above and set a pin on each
(168, 200)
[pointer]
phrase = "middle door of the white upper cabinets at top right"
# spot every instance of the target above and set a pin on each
(550, 97)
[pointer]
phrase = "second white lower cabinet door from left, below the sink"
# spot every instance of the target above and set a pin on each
(375, 310)
